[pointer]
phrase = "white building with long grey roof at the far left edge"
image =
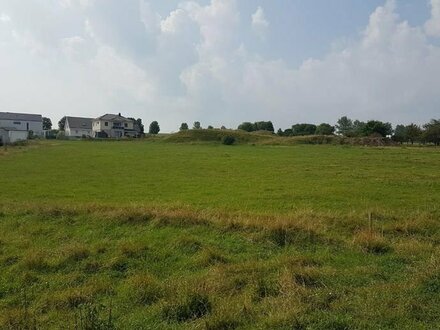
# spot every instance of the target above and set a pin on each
(16, 126)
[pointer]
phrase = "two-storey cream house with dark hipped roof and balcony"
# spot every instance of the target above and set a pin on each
(113, 126)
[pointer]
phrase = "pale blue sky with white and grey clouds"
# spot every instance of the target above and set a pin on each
(222, 62)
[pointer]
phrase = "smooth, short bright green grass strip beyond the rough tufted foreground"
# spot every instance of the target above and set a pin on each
(243, 178)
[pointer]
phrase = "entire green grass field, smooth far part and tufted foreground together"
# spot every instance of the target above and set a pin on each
(156, 235)
